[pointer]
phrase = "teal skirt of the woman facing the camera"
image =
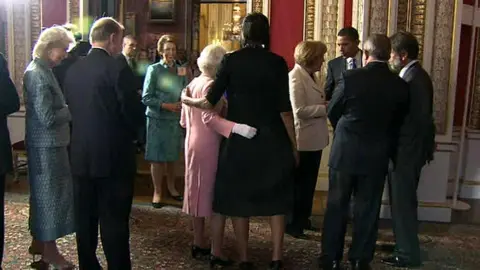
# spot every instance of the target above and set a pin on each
(164, 140)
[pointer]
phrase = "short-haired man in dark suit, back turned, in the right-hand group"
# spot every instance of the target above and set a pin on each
(365, 128)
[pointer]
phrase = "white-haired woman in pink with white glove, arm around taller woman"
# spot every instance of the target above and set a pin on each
(205, 129)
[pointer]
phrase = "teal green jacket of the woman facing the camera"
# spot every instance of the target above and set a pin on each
(162, 86)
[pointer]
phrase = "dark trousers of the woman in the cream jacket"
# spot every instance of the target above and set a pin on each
(305, 181)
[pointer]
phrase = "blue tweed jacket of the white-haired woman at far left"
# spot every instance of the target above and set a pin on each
(47, 115)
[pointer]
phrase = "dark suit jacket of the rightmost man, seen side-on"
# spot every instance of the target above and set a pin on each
(417, 134)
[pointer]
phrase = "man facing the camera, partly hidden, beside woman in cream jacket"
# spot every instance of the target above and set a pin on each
(351, 57)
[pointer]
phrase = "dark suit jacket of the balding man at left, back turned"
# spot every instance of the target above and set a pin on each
(105, 116)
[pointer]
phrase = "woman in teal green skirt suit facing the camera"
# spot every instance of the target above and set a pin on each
(164, 82)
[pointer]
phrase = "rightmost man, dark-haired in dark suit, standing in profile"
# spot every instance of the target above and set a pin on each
(415, 148)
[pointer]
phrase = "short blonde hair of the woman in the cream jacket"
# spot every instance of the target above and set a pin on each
(309, 52)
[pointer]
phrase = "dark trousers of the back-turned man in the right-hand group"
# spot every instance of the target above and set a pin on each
(368, 190)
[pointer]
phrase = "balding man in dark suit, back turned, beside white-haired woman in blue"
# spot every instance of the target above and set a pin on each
(105, 116)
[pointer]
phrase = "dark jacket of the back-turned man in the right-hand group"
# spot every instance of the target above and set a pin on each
(366, 111)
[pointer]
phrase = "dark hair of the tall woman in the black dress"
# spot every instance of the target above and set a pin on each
(256, 30)
